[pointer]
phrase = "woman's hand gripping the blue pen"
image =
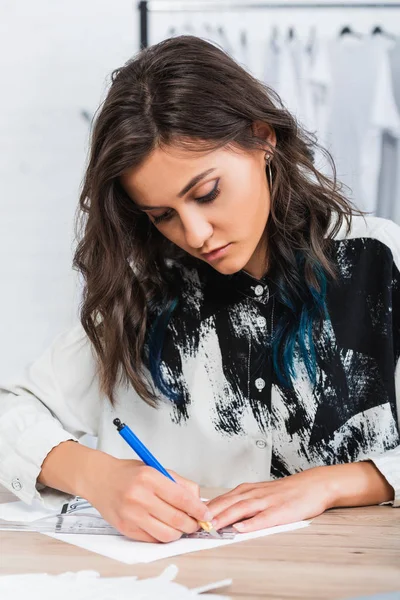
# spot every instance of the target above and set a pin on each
(142, 503)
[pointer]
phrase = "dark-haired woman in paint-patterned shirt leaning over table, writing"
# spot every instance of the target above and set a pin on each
(237, 314)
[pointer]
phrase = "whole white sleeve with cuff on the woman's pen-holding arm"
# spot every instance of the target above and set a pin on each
(57, 399)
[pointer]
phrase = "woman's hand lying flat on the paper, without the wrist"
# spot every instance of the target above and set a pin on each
(253, 506)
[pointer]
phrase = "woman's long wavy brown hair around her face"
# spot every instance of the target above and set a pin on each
(187, 91)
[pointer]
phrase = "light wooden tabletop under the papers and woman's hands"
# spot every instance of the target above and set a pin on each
(343, 553)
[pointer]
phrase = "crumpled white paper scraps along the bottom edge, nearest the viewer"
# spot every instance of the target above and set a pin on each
(88, 585)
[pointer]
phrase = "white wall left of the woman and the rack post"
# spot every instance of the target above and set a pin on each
(55, 58)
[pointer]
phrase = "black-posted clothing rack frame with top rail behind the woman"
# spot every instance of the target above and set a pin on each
(146, 7)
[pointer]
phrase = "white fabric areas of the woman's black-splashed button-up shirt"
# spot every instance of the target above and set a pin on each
(58, 399)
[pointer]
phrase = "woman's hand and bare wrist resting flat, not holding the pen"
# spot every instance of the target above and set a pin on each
(253, 506)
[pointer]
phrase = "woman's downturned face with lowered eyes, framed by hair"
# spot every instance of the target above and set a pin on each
(213, 205)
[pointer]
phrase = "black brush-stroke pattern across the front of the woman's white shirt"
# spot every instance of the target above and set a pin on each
(219, 337)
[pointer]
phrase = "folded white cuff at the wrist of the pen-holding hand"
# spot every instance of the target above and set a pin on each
(21, 468)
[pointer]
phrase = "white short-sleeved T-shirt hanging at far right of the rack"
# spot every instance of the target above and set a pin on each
(361, 108)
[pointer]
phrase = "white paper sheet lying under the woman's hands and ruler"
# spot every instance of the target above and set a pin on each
(128, 551)
